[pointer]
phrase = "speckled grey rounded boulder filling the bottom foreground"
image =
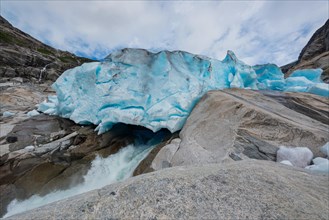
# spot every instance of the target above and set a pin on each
(240, 190)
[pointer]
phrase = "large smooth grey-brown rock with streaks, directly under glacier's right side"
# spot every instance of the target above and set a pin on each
(237, 124)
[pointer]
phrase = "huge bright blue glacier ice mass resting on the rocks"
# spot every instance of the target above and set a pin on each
(159, 90)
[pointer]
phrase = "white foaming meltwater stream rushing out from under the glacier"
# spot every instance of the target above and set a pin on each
(103, 171)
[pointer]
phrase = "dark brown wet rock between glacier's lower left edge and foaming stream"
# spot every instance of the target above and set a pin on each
(61, 156)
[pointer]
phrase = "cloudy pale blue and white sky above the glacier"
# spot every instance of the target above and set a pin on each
(257, 31)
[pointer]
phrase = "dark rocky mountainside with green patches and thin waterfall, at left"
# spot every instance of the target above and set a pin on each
(23, 56)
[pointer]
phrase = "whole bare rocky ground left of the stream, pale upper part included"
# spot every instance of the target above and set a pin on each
(43, 153)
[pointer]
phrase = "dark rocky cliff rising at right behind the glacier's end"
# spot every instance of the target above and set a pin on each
(314, 55)
